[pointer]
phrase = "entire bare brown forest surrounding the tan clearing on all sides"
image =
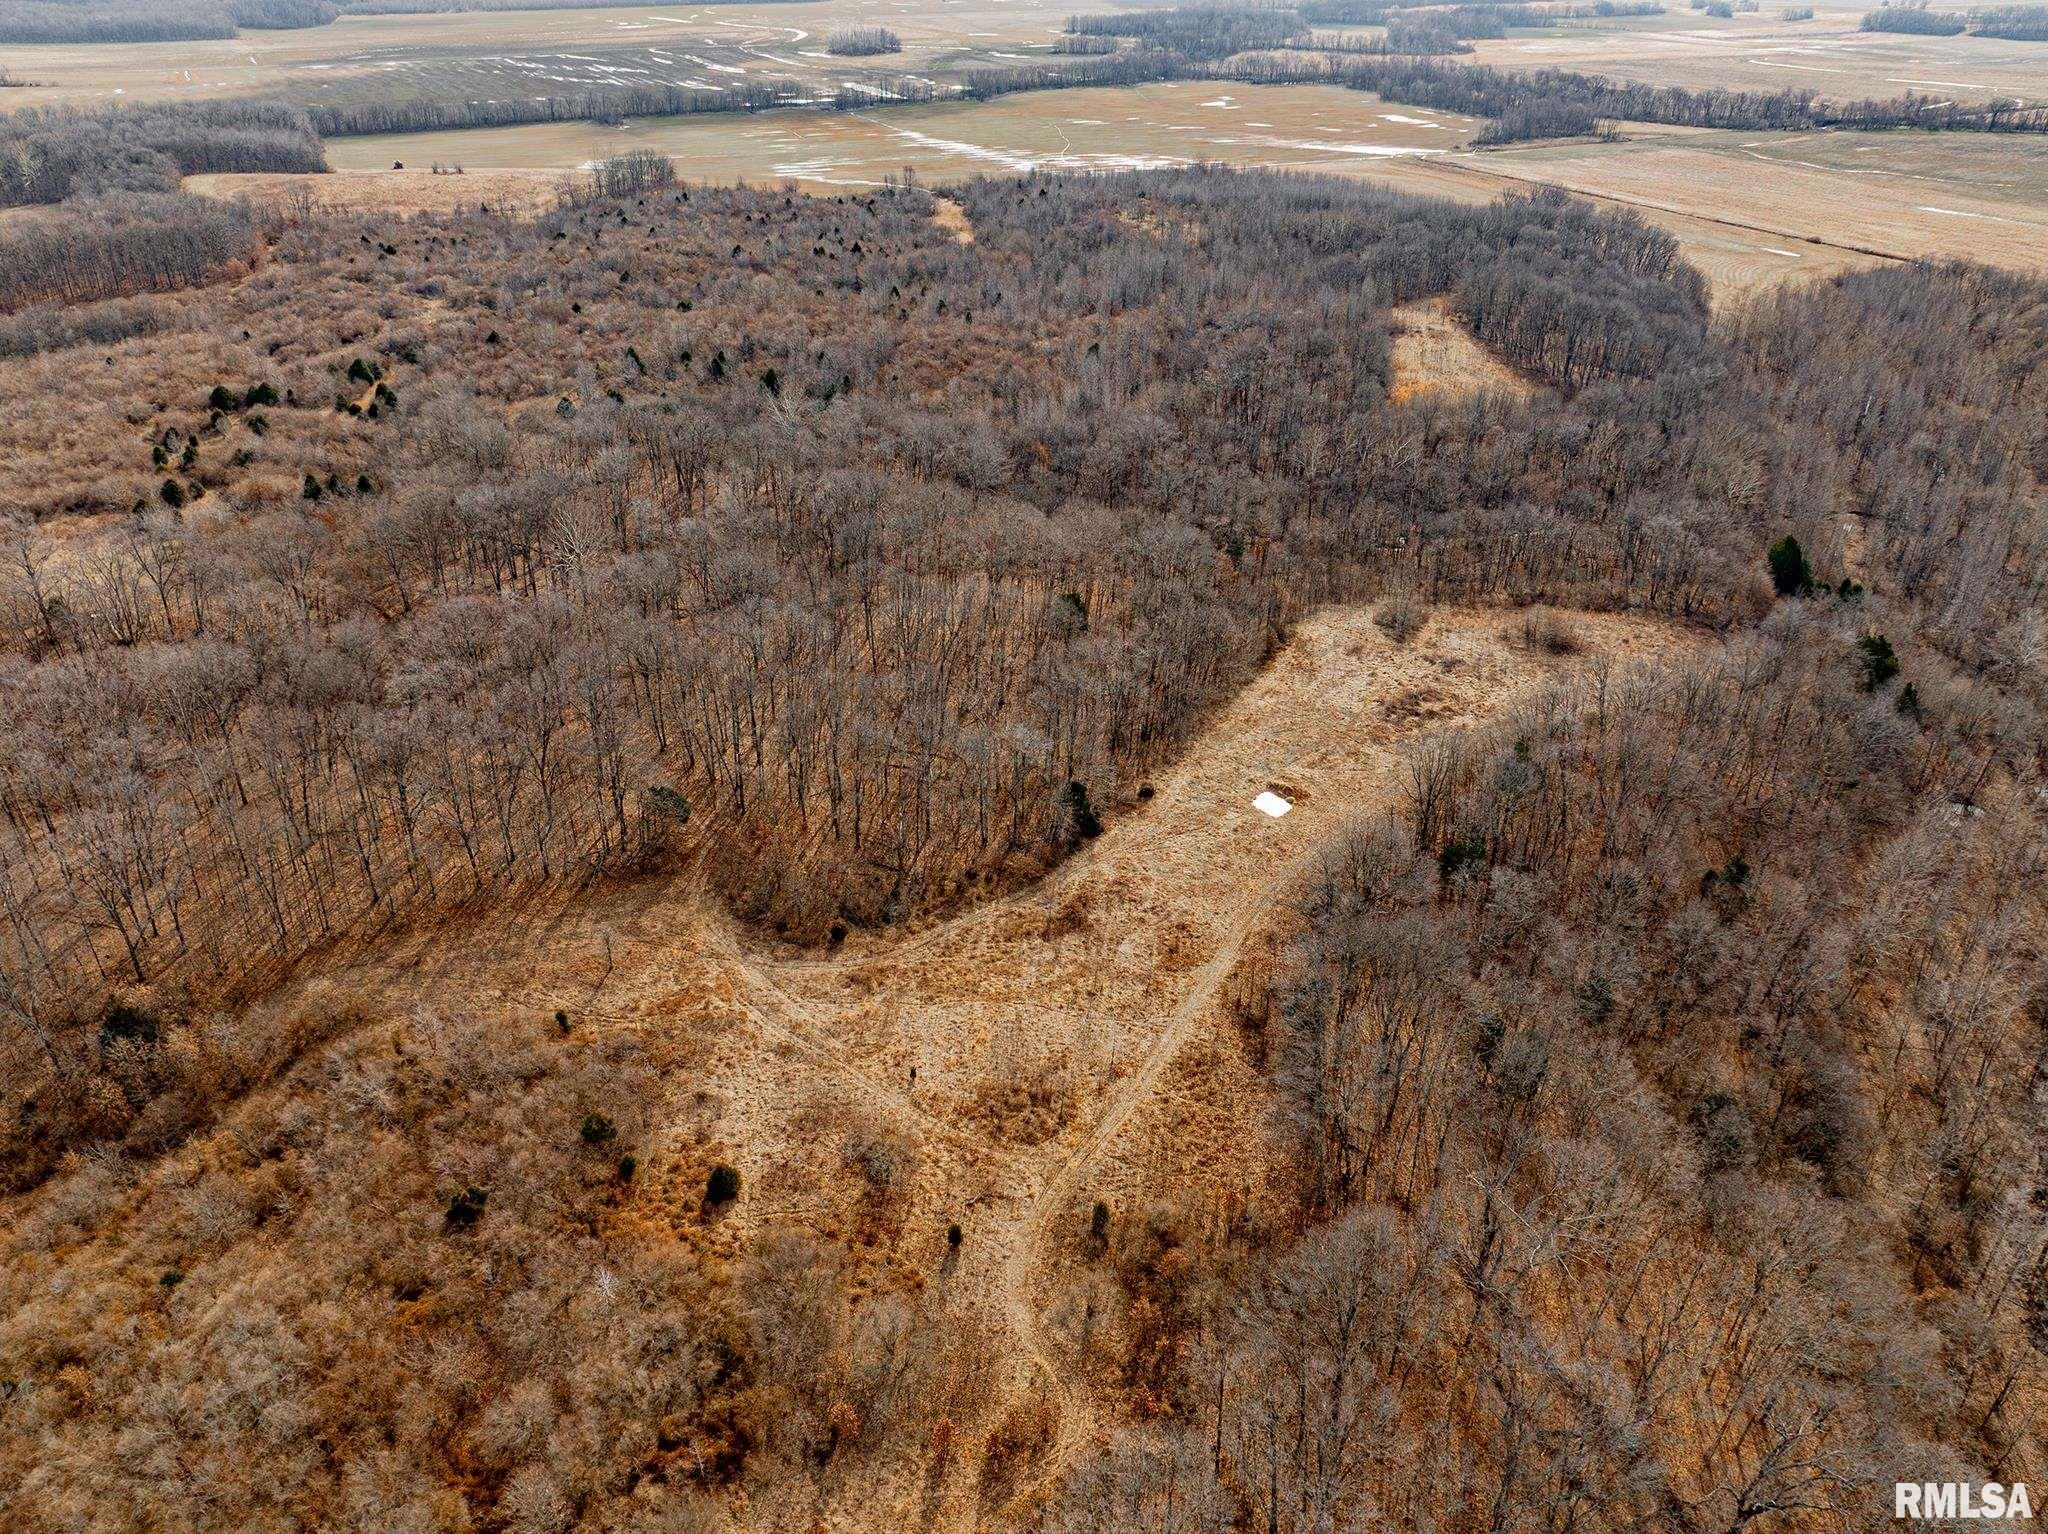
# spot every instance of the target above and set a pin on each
(1654, 1093)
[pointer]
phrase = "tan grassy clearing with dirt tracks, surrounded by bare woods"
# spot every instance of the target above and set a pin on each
(1037, 1052)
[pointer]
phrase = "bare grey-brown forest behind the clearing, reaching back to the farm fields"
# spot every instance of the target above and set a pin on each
(368, 650)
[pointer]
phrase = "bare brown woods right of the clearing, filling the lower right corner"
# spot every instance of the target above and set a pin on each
(1613, 1054)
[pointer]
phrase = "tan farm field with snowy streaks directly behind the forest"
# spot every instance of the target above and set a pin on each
(1750, 210)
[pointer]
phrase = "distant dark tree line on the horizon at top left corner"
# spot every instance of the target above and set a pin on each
(169, 22)
